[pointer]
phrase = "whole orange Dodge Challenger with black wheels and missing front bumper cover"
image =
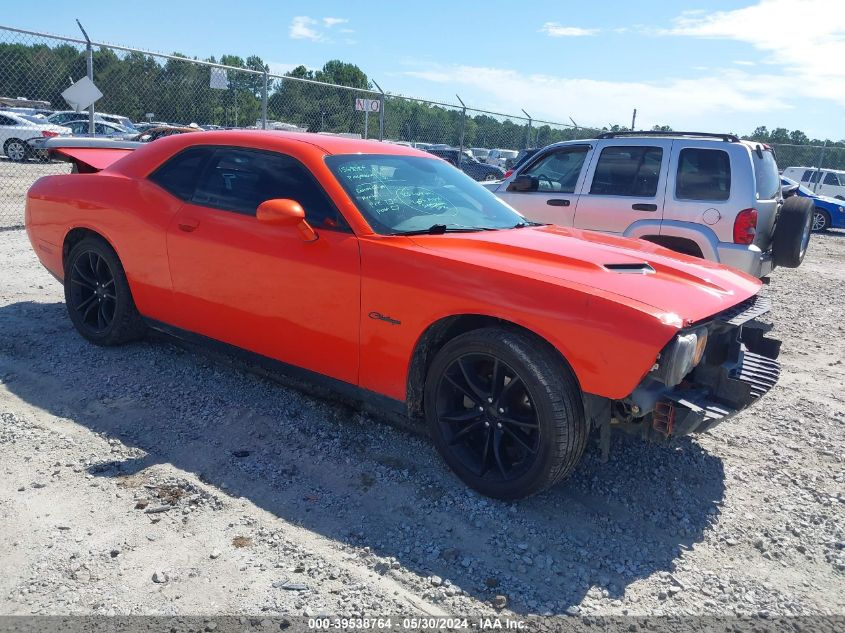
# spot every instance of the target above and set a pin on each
(393, 277)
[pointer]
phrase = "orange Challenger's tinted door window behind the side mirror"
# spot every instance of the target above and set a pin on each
(239, 180)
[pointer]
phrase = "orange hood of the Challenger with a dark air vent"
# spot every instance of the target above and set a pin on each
(682, 289)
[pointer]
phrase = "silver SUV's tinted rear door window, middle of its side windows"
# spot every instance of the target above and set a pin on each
(628, 170)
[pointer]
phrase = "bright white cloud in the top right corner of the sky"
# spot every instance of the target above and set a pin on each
(805, 38)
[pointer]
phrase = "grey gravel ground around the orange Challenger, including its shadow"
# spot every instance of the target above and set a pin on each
(150, 479)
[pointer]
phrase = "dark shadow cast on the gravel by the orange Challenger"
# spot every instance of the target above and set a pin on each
(338, 472)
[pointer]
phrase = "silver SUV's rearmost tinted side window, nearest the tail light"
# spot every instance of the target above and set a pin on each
(703, 174)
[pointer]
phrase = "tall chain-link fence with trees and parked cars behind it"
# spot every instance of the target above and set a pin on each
(152, 89)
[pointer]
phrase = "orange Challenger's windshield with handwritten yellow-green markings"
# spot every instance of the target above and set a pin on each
(407, 194)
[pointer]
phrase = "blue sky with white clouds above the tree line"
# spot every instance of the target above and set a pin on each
(714, 65)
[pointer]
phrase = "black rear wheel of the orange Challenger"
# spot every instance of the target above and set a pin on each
(97, 295)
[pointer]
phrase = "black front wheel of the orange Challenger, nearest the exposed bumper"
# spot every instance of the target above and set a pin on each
(505, 412)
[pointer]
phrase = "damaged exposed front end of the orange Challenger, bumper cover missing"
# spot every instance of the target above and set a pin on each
(739, 366)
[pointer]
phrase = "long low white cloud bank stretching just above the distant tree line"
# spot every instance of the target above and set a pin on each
(702, 101)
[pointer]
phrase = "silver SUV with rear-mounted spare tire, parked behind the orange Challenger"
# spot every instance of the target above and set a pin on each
(707, 195)
